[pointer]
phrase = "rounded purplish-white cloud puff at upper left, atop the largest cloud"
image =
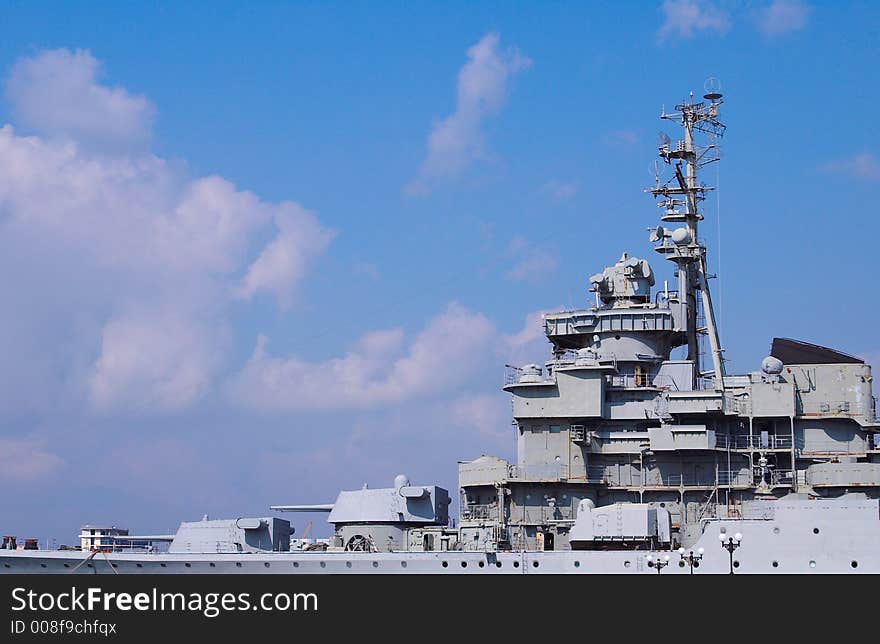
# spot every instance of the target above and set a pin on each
(56, 93)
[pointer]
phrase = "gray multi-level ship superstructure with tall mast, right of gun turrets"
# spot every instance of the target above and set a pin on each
(612, 418)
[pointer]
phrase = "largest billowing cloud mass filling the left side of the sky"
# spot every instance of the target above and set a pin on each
(157, 256)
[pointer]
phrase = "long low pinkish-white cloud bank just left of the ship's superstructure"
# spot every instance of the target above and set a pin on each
(379, 370)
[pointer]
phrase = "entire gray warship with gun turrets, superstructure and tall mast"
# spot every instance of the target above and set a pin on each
(628, 461)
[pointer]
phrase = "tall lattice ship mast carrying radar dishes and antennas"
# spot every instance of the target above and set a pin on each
(686, 248)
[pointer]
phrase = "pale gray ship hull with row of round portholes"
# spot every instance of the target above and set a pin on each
(809, 538)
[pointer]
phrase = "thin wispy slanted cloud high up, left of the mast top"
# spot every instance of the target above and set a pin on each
(457, 141)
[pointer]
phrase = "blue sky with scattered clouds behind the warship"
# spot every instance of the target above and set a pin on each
(213, 212)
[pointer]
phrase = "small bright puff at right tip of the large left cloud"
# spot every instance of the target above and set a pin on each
(283, 263)
